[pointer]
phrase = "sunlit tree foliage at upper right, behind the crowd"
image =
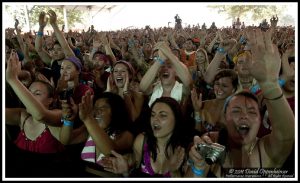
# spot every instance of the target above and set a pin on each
(259, 12)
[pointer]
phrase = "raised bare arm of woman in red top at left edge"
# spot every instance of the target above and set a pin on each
(38, 111)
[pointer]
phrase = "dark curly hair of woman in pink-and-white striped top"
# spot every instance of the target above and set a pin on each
(119, 116)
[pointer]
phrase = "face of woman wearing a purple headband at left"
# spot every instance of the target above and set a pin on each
(68, 71)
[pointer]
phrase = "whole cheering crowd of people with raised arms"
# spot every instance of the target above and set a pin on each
(166, 102)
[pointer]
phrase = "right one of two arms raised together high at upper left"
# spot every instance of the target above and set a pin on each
(59, 35)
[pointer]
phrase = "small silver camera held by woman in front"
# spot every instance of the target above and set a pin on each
(213, 153)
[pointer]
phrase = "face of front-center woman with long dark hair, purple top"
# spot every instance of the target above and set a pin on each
(162, 120)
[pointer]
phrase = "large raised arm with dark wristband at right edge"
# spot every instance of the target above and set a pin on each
(265, 69)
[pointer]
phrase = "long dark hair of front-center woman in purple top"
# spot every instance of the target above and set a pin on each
(179, 133)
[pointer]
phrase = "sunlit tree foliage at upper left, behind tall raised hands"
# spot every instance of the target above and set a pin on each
(18, 11)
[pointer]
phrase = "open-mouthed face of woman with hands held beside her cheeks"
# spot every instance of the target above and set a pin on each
(120, 73)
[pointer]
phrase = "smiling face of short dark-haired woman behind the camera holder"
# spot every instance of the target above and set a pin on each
(223, 88)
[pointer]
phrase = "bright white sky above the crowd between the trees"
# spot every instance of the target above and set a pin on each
(155, 14)
